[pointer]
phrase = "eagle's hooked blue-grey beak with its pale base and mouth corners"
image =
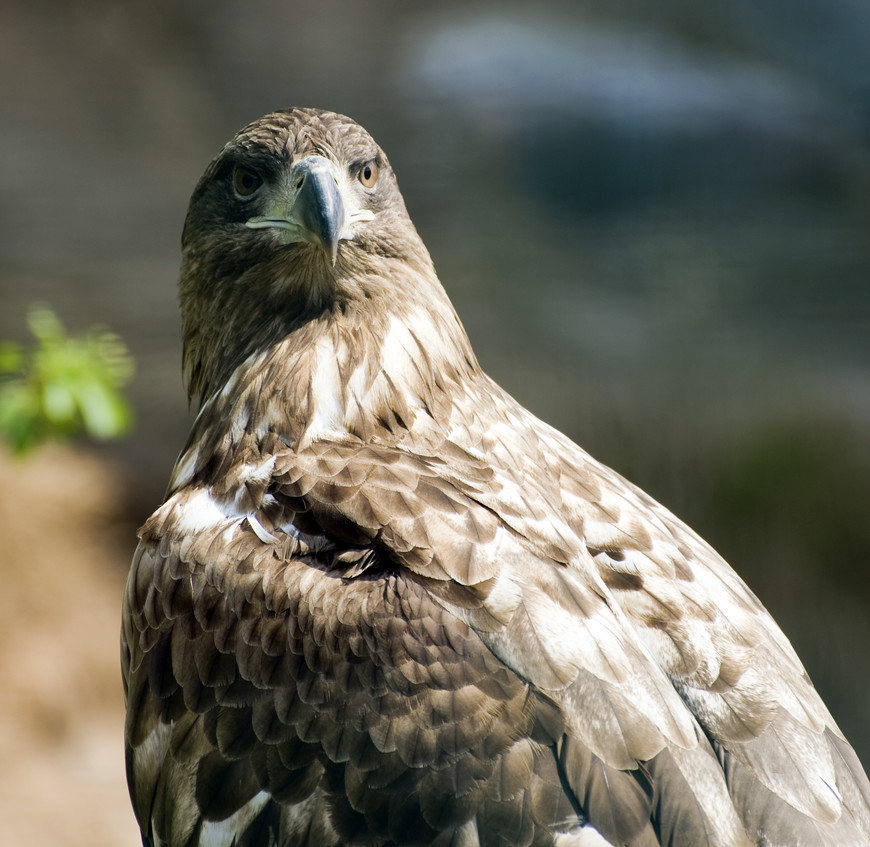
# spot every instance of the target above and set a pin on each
(316, 211)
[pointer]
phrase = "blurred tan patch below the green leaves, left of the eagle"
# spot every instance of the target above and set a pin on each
(62, 549)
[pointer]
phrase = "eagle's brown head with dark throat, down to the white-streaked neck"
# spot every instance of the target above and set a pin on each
(299, 218)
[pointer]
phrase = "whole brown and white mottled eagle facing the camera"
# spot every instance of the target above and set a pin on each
(383, 604)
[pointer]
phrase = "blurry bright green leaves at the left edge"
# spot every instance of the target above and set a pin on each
(63, 385)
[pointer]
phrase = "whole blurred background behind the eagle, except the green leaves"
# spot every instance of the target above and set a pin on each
(653, 219)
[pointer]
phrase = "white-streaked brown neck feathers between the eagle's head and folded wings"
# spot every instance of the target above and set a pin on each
(372, 377)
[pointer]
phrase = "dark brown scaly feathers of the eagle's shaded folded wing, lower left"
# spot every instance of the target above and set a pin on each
(337, 685)
